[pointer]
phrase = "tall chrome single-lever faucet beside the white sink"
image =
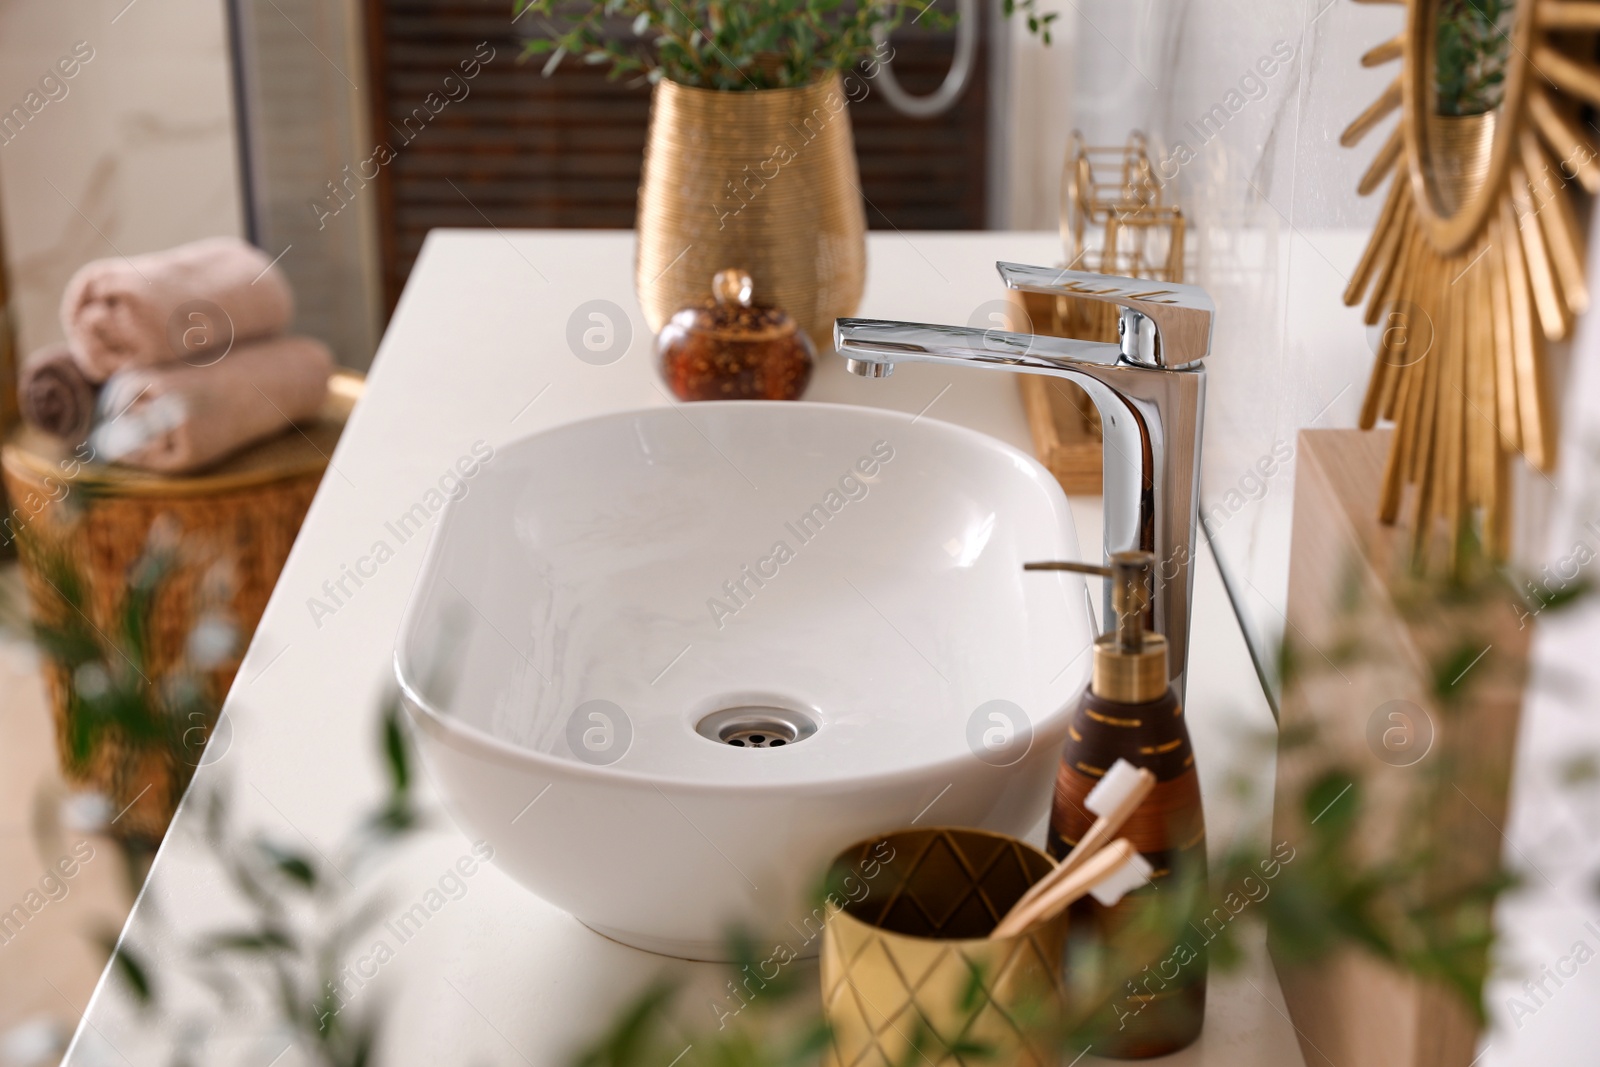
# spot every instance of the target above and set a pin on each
(1150, 391)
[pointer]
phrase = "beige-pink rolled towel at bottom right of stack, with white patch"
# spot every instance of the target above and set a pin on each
(180, 418)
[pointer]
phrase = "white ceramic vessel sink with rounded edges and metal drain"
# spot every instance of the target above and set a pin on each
(668, 663)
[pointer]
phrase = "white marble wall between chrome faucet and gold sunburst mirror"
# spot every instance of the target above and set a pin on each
(1244, 103)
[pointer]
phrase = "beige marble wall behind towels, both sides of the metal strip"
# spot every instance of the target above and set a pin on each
(140, 148)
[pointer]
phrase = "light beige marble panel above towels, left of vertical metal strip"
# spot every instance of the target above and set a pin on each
(130, 153)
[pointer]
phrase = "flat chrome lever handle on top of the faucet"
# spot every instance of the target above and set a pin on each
(1182, 314)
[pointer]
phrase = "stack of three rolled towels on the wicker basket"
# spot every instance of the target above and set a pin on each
(177, 359)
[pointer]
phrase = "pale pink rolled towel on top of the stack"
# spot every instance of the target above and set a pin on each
(188, 303)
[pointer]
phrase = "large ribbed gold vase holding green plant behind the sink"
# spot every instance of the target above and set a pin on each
(762, 182)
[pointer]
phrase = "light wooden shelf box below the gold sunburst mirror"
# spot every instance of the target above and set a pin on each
(1356, 1009)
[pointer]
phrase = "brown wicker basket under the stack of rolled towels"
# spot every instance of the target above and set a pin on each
(236, 521)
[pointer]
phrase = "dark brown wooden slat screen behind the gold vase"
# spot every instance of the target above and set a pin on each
(526, 151)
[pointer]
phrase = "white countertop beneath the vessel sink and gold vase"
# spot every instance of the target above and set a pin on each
(478, 351)
